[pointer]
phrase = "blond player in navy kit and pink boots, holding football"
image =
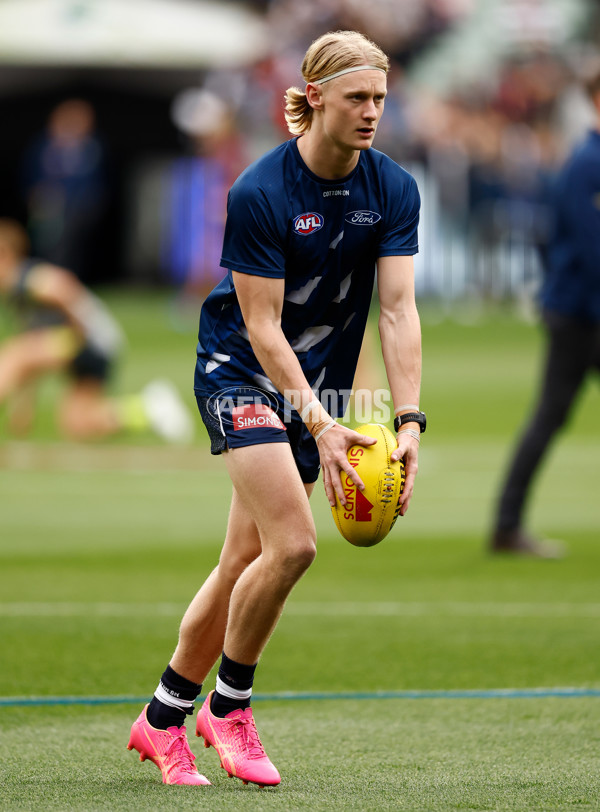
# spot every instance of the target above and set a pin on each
(307, 225)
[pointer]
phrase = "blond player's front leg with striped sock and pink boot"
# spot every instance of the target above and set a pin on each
(269, 487)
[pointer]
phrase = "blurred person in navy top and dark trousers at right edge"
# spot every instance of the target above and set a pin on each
(570, 298)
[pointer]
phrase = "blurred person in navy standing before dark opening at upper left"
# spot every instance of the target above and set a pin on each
(64, 176)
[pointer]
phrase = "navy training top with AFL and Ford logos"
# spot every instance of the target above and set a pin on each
(324, 238)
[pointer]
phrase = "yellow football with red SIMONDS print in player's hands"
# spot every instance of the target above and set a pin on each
(370, 514)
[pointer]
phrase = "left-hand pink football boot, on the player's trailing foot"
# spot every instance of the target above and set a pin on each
(168, 749)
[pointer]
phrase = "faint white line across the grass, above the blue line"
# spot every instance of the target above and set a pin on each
(314, 609)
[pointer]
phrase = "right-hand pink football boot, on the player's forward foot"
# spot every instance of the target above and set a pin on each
(235, 739)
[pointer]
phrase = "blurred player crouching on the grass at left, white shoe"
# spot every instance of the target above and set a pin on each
(66, 328)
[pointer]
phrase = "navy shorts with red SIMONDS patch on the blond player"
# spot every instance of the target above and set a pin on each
(243, 416)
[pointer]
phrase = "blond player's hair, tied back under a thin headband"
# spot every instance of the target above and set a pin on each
(329, 54)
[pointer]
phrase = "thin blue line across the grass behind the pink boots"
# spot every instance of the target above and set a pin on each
(494, 693)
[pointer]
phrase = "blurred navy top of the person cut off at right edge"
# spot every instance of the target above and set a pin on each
(572, 282)
